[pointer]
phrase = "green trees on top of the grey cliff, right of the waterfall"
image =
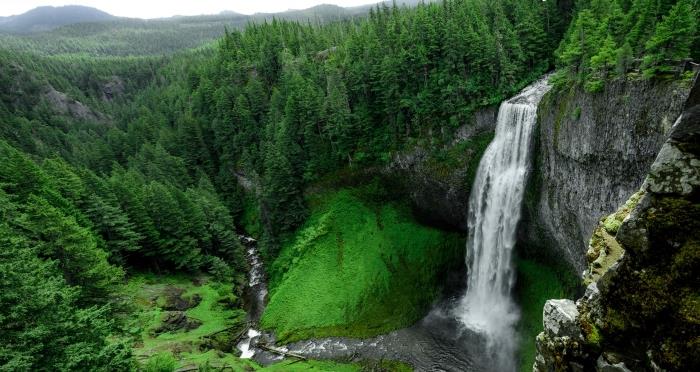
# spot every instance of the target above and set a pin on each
(609, 38)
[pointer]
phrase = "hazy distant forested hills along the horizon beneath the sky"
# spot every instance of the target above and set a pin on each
(82, 30)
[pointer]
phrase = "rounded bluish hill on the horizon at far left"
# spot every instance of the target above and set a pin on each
(48, 17)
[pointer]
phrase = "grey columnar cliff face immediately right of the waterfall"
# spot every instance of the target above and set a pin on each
(593, 152)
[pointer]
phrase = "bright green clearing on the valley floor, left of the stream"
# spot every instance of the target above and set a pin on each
(148, 296)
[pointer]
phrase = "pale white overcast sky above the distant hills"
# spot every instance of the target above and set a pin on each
(167, 8)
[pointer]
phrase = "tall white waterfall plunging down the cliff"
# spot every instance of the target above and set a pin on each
(494, 212)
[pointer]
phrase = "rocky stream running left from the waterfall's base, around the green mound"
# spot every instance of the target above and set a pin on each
(438, 342)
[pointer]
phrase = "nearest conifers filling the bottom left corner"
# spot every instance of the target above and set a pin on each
(40, 317)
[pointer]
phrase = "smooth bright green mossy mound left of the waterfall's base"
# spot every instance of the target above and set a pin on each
(356, 268)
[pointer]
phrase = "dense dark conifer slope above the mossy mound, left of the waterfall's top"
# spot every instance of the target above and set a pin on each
(306, 101)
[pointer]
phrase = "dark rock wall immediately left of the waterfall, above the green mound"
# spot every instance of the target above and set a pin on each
(438, 182)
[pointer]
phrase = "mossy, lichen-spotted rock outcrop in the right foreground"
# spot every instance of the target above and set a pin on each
(641, 309)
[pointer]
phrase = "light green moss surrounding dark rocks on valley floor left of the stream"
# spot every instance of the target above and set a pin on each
(183, 349)
